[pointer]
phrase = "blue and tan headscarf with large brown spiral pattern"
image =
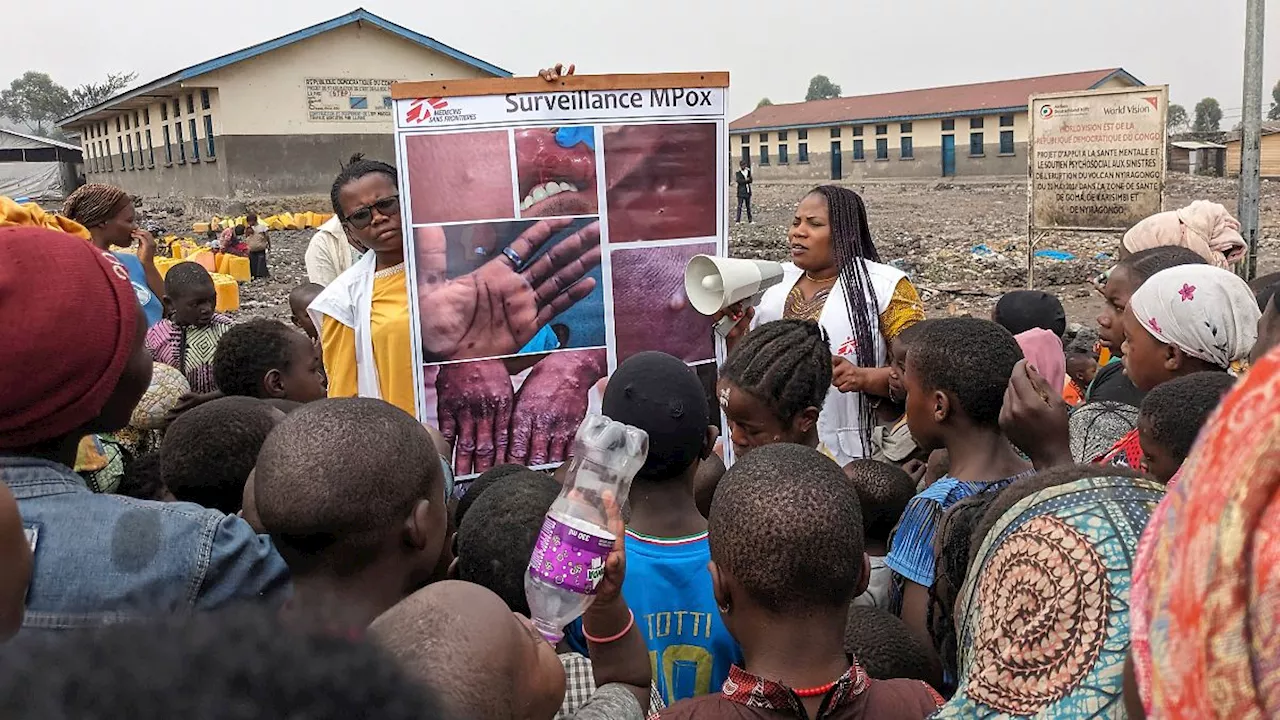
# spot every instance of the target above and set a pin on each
(1048, 627)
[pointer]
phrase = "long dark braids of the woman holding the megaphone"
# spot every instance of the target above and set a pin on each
(852, 244)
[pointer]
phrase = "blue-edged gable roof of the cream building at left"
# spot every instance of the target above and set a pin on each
(359, 15)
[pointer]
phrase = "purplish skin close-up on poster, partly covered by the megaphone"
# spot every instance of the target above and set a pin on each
(651, 309)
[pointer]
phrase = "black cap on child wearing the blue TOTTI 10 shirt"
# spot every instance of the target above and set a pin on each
(662, 397)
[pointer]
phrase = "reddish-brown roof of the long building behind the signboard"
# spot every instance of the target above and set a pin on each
(1008, 95)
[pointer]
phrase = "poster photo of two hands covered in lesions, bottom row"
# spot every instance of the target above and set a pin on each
(523, 411)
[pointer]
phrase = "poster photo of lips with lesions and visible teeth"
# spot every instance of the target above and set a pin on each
(556, 172)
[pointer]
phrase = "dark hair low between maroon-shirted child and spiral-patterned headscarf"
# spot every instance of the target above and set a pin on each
(888, 650)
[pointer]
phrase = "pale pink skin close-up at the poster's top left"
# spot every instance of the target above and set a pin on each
(460, 177)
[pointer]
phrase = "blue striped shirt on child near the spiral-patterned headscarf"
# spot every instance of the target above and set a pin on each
(911, 553)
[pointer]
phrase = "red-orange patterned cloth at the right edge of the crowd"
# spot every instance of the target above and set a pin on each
(1214, 576)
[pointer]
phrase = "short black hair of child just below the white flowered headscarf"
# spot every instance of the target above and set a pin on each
(1178, 409)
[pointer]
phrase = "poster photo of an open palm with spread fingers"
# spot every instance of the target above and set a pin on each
(509, 289)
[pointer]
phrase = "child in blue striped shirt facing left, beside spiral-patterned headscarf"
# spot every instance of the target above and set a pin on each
(957, 375)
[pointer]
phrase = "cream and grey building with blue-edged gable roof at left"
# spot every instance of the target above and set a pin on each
(273, 120)
